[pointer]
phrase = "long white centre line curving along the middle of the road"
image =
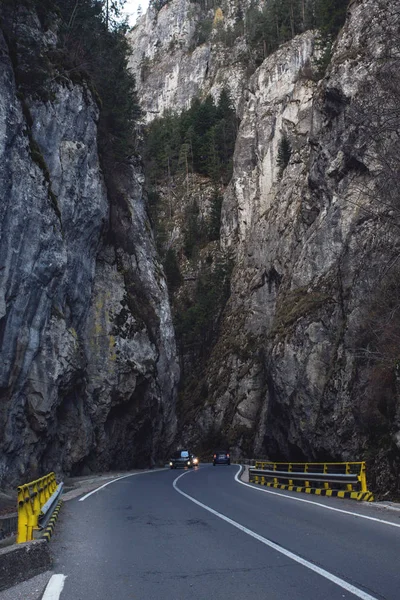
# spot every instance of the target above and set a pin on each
(305, 563)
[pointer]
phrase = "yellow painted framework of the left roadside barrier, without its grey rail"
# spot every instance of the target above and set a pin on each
(31, 498)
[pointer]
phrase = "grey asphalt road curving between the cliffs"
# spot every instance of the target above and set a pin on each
(144, 538)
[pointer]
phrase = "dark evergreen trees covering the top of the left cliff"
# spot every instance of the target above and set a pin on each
(91, 50)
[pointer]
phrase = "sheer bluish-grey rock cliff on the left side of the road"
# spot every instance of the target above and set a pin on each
(88, 368)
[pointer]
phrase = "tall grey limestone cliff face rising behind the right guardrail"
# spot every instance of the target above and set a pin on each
(302, 243)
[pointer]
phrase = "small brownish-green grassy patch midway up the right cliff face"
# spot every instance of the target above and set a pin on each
(294, 305)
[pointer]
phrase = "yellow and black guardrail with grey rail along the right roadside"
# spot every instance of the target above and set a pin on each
(344, 480)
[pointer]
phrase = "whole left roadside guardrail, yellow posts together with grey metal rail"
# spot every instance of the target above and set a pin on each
(38, 506)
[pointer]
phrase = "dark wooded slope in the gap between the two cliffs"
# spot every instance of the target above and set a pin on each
(187, 160)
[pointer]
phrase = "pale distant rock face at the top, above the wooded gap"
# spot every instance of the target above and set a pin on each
(171, 66)
